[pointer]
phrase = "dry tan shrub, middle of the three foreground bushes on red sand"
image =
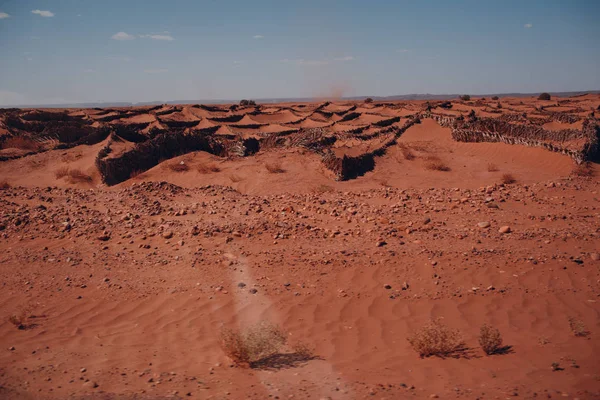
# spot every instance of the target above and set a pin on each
(436, 339)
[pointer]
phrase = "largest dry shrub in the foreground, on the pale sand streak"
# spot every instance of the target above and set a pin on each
(255, 343)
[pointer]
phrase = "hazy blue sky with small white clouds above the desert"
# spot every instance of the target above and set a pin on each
(56, 51)
